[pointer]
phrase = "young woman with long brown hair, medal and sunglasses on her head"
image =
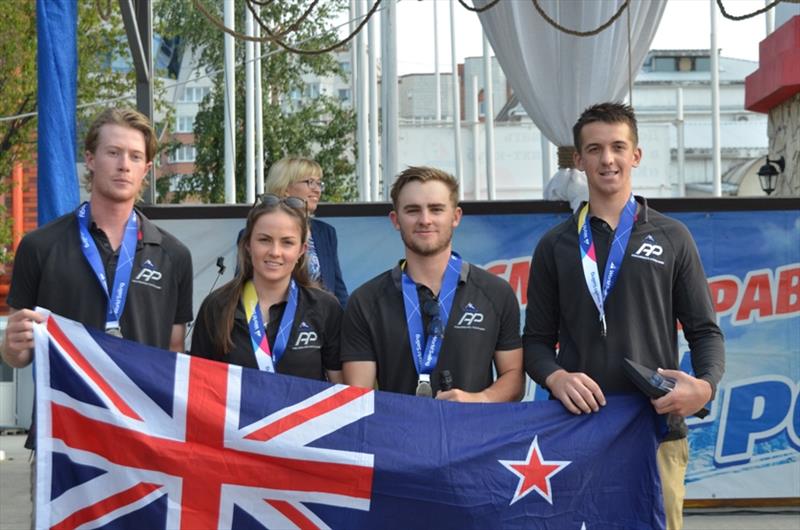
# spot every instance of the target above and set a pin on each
(271, 316)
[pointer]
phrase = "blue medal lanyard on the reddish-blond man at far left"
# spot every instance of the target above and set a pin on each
(122, 276)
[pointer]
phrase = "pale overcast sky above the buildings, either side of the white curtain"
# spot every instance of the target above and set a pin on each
(685, 25)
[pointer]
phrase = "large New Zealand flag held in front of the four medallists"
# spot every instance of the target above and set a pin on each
(135, 437)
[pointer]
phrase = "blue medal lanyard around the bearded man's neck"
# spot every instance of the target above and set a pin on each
(425, 358)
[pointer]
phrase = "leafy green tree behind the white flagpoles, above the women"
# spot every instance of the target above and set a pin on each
(319, 129)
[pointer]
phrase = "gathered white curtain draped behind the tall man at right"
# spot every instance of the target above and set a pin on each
(556, 75)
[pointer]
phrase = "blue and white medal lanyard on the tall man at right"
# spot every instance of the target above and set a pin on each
(622, 234)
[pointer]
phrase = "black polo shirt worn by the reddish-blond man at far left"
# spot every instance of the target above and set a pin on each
(51, 271)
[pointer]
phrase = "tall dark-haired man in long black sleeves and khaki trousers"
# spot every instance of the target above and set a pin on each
(612, 282)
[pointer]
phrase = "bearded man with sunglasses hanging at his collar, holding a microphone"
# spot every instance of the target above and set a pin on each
(433, 312)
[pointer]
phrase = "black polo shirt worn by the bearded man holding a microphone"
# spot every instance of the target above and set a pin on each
(484, 319)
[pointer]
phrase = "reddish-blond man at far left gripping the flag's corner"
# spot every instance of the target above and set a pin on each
(63, 265)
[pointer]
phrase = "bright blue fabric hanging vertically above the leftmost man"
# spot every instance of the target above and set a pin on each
(56, 23)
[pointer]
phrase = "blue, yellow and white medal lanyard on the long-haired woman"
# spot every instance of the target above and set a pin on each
(267, 359)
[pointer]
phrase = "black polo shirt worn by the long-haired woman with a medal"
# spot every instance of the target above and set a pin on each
(313, 345)
